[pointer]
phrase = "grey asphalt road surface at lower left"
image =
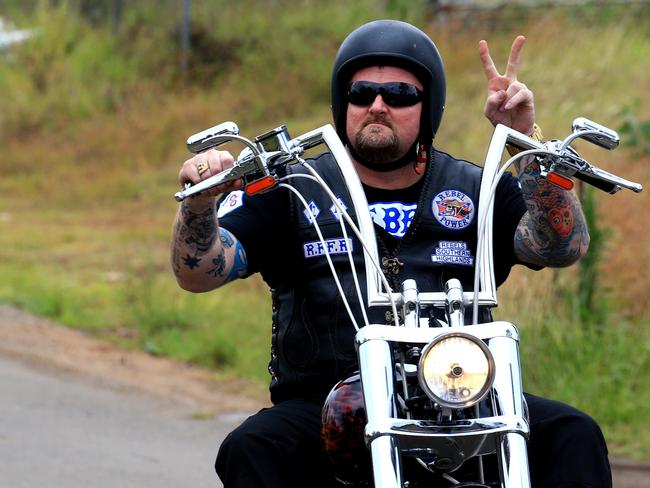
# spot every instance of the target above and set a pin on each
(64, 431)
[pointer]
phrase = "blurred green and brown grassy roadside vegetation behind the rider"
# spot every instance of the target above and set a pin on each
(93, 119)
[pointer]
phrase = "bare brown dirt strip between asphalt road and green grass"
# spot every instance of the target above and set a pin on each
(42, 343)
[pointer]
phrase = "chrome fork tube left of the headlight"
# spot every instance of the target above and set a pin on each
(379, 397)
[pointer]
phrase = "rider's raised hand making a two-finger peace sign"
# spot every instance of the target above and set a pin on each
(509, 102)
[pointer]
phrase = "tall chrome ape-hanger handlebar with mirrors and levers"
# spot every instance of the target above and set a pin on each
(263, 162)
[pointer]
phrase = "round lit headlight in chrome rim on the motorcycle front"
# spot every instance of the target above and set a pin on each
(456, 370)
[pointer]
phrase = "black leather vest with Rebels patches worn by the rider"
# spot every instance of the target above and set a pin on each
(312, 336)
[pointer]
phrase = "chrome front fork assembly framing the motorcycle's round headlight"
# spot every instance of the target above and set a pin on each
(389, 437)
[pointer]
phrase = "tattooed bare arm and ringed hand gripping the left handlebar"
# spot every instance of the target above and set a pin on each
(203, 256)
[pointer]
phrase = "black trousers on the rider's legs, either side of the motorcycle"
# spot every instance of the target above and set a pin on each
(280, 447)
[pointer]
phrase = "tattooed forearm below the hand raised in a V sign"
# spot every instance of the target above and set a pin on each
(553, 232)
